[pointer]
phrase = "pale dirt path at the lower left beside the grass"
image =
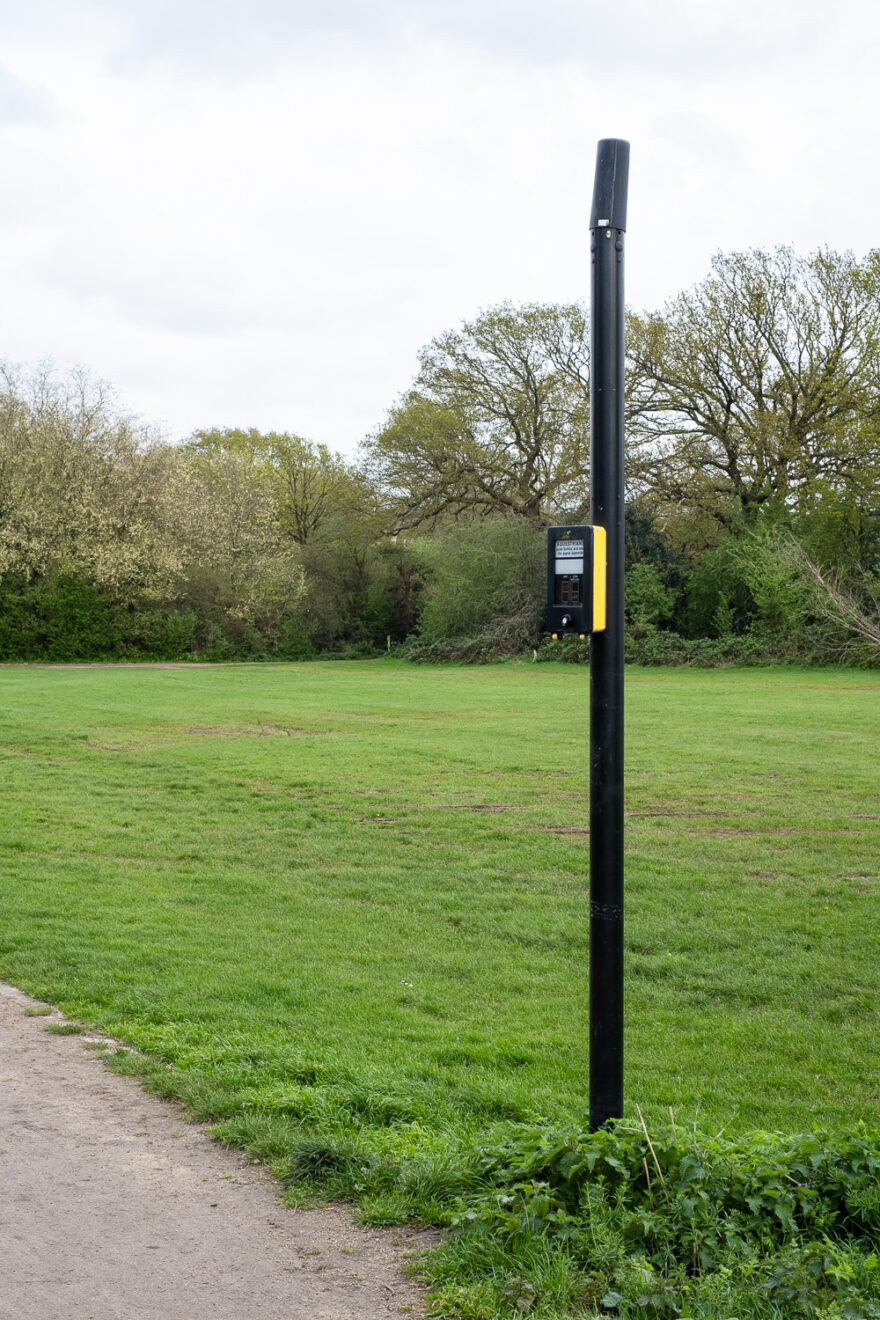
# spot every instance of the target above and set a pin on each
(114, 1207)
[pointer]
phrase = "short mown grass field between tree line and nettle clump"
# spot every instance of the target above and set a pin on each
(353, 898)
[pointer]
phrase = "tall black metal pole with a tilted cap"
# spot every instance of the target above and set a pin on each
(608, 229)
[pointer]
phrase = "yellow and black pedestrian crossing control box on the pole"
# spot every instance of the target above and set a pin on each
(576, 580)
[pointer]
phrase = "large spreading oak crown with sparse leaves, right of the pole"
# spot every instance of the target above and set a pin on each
(761, 387)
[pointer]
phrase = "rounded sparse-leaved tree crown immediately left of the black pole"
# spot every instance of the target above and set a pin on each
(497, 420)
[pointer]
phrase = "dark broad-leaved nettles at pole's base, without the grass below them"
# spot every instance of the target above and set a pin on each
(687, 1198)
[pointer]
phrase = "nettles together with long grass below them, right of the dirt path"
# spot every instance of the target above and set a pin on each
(630, 1224)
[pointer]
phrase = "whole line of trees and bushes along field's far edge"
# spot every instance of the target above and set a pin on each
(753, 473)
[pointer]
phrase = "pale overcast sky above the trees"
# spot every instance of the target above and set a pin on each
(254, 213)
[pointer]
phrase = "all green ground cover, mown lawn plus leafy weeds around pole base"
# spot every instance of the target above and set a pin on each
(341, 911)
